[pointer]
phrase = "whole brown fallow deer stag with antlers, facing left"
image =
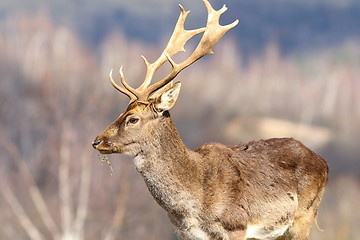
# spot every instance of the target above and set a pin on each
(268, 189)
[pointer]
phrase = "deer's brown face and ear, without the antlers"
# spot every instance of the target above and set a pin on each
(134, 128)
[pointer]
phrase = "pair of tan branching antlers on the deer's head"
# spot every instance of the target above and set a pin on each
(212, 34)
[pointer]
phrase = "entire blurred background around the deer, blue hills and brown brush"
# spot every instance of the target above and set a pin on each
(290, 68)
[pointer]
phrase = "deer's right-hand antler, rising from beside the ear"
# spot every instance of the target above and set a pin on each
(213, 33)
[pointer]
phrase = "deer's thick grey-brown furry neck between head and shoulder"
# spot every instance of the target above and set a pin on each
(167, 166)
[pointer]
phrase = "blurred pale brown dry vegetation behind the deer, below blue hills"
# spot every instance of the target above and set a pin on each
(54, 99)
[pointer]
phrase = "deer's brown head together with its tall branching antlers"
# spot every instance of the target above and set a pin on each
(149, 103)
